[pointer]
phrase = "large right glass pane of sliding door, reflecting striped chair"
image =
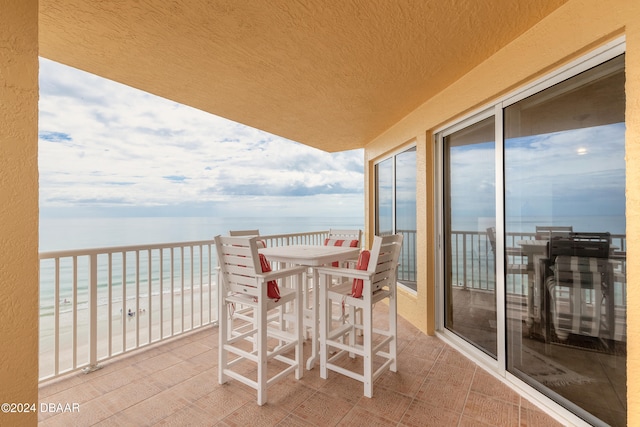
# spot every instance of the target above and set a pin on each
(565, 208)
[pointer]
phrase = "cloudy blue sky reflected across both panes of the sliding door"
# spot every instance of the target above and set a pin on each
(565, 173)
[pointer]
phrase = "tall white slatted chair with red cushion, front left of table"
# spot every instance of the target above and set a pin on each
(243, 280)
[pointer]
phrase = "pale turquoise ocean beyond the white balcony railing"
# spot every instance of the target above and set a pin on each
(58, 234)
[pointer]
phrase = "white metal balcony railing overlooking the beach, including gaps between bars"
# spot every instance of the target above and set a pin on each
(99, 303)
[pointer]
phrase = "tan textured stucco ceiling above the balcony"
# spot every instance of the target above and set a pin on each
(332, 74)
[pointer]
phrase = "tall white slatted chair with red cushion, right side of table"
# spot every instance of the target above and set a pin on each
(377, 347)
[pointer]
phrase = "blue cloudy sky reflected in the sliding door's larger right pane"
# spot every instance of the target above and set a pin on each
(569, 173)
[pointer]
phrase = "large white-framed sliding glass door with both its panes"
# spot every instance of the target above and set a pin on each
(534, 237)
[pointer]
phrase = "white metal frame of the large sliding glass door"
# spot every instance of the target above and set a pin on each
(496, 108)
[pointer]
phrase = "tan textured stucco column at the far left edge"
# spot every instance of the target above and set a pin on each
(18, 207)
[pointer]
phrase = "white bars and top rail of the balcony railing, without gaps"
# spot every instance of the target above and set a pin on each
(118, 282)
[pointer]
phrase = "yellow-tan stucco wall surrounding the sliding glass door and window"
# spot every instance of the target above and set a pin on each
(572, 30)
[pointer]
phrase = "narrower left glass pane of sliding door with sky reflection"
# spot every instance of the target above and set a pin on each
(469, 221)
